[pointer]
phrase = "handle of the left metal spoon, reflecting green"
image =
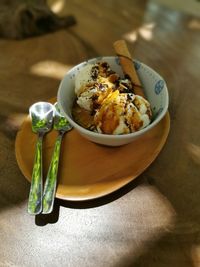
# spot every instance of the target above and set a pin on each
(35, 195)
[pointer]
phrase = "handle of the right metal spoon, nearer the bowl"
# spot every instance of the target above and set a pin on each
(51, 180)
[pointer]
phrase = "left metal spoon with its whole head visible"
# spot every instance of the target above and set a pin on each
(42, 119)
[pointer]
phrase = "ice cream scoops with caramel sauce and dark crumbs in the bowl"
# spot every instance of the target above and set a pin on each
(106, 103)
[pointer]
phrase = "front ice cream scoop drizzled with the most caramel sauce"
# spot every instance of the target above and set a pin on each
(122, 113)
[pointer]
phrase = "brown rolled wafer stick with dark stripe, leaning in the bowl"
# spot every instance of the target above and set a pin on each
(127, 65)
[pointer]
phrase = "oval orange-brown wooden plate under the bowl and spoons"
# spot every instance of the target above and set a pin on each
(88, 170)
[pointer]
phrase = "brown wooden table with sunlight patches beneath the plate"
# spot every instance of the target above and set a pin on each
(154, 220)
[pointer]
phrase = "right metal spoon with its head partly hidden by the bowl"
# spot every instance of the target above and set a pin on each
(62, 125)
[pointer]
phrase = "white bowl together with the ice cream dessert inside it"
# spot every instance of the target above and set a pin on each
(111, 104)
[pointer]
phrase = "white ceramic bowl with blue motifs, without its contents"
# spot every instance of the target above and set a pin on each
(154, 87)
